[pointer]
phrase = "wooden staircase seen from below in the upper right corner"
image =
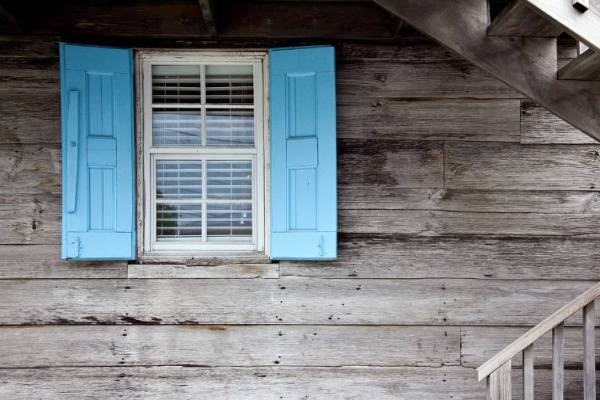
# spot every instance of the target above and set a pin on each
(519, 47)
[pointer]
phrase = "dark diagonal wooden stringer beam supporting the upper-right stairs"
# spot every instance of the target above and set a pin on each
(526, 64)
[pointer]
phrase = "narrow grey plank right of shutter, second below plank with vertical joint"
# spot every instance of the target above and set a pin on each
(444, 223)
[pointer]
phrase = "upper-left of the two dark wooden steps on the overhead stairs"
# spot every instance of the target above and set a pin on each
(517, 19)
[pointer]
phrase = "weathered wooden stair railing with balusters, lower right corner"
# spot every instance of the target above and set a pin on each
(497, 370)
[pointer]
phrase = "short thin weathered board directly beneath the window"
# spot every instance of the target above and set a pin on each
(224, 270)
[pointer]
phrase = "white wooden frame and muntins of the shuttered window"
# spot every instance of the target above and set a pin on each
(148, 155)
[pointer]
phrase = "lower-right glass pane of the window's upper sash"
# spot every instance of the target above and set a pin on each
(229, 127)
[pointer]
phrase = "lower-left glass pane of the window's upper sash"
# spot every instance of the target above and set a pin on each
(174, 127)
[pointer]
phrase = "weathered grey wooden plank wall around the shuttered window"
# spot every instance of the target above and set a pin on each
(466, 214)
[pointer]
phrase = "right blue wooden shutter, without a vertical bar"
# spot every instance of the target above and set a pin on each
(303, 153)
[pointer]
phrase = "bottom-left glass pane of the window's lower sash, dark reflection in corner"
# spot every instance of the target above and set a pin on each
(178, 220)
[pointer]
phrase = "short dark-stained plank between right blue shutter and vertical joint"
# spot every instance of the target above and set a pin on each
(403, 164)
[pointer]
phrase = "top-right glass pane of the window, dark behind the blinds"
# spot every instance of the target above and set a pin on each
(229, 84)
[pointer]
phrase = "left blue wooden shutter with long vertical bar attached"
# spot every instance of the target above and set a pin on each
(97, 153)
